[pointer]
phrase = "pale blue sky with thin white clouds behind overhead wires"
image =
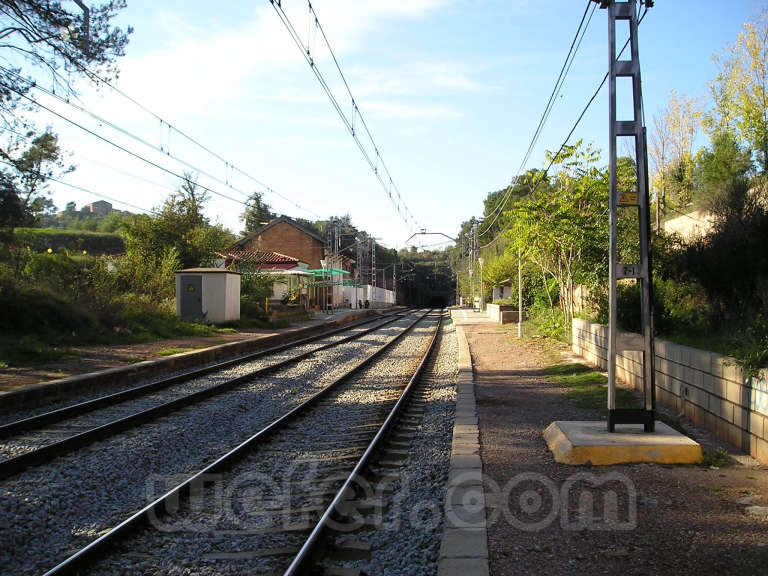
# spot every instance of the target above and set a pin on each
(452, 91)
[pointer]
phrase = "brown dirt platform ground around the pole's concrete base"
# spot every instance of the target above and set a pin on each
(549, 518)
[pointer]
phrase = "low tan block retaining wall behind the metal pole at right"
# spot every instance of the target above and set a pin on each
(708, 387)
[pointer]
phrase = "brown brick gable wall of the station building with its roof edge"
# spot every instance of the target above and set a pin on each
(285, 236)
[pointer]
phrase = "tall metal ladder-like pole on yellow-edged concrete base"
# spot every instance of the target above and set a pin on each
(632, 203)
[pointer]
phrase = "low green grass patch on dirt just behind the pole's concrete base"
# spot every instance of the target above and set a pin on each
(587, 388)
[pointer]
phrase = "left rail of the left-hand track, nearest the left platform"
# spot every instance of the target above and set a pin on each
(60, 414)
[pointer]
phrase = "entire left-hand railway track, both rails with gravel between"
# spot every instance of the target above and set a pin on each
(41, 438)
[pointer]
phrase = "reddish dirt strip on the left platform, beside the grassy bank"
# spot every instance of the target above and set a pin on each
(84, 359)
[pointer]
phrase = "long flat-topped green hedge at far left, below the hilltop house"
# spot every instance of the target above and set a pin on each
(41, 239)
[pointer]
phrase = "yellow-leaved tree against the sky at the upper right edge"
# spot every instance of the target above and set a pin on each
(740, 90)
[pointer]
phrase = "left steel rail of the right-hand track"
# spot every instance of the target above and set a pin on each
(156, 508)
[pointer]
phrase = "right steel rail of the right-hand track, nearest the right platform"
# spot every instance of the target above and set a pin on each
(307, 555)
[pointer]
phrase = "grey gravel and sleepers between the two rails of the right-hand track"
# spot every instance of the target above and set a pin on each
(238, 527)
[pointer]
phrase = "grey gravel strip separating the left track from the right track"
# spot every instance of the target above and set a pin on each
(50, 511)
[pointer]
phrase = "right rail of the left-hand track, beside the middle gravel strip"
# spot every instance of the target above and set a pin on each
(48, 452)
